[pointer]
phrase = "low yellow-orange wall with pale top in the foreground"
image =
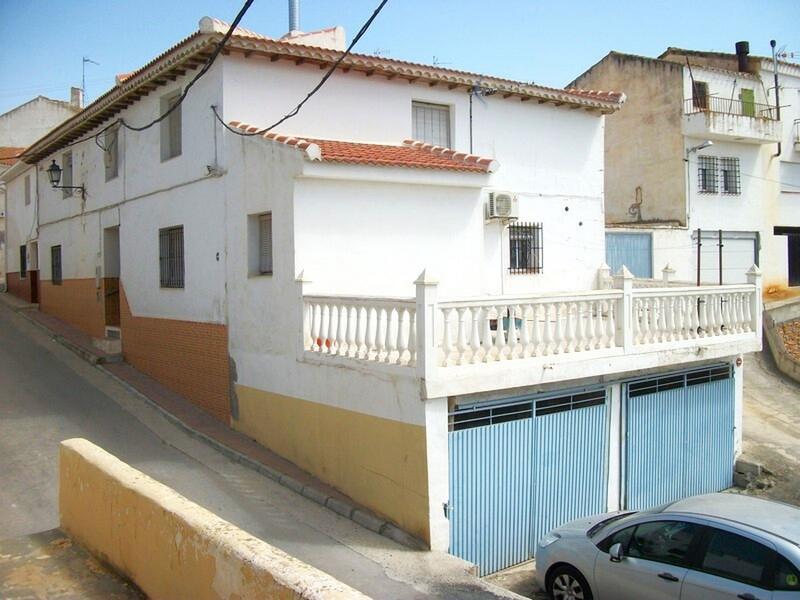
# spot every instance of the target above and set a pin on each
(169, 546)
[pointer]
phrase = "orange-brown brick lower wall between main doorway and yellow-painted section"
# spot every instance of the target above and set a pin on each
(188, 357)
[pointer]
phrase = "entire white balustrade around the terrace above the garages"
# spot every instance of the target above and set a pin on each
(487, 330)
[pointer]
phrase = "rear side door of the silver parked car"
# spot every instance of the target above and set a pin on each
(730, 566)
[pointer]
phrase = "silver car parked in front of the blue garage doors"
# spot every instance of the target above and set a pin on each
(702, 548)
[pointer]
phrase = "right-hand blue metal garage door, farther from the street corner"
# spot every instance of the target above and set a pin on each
(680, 430)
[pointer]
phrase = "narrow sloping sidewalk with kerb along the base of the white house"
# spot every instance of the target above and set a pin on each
(203, 426)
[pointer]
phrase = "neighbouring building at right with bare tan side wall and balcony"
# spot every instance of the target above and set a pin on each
(662, 185)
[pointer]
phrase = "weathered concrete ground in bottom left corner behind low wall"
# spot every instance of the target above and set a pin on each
(49, 565)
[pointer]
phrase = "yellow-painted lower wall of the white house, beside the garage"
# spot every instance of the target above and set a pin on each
(378, 462)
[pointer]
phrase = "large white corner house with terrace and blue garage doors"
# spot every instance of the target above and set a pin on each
(431, 331)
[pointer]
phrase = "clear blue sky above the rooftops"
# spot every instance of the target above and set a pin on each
(42, 42)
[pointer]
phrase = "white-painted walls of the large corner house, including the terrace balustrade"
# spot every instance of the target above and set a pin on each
(366, 231)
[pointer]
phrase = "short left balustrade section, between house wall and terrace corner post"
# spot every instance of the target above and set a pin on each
(369, 329)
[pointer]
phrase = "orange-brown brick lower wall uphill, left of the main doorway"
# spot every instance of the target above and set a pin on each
(77, 302)
